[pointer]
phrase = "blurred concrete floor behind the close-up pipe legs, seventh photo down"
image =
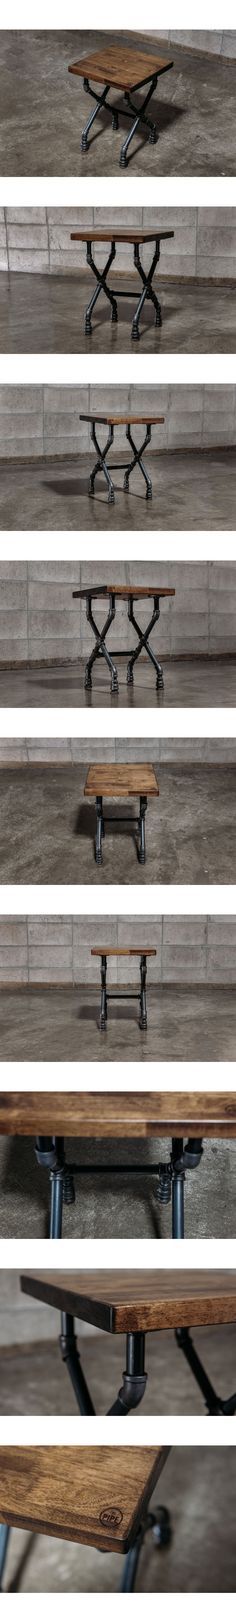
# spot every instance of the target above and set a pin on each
(112, 1206)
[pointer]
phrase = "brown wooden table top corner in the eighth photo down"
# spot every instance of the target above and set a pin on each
(138, 1300)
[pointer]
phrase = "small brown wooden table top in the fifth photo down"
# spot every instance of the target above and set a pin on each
(120, 781)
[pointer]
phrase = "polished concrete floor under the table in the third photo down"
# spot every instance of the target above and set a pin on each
(188, 493)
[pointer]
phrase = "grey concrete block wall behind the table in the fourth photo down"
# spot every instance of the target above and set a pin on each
(40, 621)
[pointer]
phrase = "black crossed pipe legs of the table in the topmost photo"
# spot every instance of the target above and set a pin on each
(137, 114)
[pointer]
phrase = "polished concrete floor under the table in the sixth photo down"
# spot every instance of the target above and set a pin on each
(62, 1025)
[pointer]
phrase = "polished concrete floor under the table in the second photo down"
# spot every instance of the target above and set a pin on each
(46, 315)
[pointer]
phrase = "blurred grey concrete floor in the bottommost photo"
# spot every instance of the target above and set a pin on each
(198, 1488)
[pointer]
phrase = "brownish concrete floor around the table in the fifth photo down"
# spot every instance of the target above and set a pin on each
(48, 828)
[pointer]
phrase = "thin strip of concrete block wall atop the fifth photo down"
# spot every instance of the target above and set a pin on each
(80, 750)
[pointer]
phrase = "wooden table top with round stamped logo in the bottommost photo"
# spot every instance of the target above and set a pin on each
(88, 1494)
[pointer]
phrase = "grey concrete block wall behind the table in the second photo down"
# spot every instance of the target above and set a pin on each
(38, 240)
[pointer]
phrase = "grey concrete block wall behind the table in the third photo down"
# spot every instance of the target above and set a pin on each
(44, 421)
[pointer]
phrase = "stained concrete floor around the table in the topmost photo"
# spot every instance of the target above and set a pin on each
(44, 111)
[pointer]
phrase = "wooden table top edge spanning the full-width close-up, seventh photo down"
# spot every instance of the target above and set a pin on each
(135, 1116)
